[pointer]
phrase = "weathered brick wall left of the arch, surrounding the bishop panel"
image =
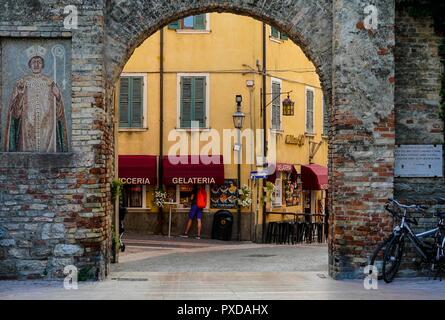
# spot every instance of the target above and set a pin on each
(54, 208)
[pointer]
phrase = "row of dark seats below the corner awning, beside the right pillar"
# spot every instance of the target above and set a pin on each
(293, 232)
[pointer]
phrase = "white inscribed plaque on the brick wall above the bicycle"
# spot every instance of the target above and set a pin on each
(419, 161)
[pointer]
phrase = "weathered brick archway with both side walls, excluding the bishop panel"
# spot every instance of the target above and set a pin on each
(72, 225)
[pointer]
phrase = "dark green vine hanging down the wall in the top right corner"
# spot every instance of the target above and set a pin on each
(434, 9)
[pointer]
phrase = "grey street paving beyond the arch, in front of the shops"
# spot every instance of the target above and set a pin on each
(158, 254)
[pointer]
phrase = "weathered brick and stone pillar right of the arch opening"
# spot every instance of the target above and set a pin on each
(363, 135)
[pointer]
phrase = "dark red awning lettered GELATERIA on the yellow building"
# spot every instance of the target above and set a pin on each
(193, 170)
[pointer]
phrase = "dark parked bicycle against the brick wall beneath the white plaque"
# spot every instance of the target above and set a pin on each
(394, 246)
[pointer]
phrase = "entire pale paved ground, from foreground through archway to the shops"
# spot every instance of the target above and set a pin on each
(185, 269)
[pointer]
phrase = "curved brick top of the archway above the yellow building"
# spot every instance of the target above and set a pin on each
(309, 25)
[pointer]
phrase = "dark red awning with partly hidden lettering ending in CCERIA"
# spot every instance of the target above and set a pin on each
(138, 169)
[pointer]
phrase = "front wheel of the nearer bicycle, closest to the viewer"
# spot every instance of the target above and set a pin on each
(393, 258)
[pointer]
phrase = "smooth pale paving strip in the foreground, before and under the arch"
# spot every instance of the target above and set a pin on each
(222, 286)
